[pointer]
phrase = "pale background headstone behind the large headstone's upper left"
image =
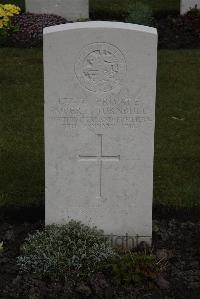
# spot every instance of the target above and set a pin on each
(72, 10)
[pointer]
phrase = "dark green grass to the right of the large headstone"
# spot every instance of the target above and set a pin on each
(177, 138)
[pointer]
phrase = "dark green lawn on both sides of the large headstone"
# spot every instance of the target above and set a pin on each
(177, 139)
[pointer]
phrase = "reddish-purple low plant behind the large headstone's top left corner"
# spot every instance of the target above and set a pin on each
(30, 29)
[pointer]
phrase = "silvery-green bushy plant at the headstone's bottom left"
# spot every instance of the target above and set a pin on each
(61, 250)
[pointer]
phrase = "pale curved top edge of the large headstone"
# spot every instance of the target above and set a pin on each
(100, 24)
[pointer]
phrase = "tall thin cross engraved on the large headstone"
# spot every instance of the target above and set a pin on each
(101, 158)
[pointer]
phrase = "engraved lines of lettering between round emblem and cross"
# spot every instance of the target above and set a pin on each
(104, 112)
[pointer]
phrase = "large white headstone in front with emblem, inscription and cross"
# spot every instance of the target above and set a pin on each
(100, 88)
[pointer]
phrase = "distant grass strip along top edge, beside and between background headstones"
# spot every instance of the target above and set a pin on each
(115, 8)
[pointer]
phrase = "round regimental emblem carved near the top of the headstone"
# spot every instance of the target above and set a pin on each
(100, 67)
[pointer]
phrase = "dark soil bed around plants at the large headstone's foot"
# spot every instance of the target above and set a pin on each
(177, 241)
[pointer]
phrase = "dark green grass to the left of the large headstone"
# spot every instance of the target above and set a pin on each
(21, 129)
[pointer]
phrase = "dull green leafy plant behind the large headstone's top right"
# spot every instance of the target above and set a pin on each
(140, 13)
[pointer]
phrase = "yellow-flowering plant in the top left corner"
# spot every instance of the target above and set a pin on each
(7, 11)
